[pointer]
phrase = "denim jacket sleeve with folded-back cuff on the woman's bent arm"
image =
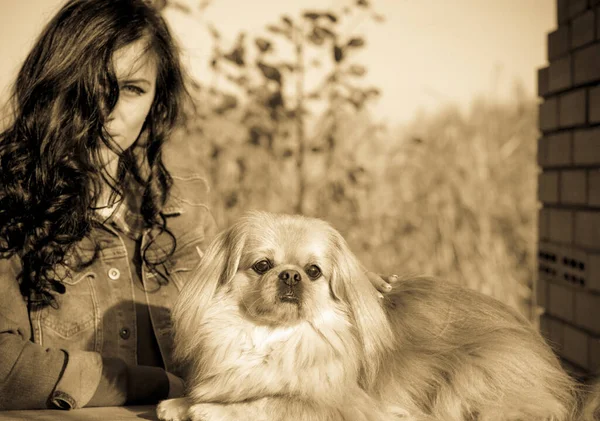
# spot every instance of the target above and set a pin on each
(32, 376)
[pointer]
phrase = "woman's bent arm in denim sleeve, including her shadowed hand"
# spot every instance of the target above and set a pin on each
(35, 377)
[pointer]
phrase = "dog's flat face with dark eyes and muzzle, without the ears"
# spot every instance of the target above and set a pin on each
(285, 271)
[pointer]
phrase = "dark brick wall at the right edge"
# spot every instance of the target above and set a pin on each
(568, 286)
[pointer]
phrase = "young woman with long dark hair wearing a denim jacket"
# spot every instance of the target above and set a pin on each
(96, 236)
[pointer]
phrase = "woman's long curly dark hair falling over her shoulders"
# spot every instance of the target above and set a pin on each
(49, 154)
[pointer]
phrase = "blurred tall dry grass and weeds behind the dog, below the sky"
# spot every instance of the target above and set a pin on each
(452, 194)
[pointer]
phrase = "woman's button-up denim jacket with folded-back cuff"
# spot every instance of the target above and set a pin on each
(60, 357)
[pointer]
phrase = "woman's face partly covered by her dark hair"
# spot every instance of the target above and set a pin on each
(136, 75)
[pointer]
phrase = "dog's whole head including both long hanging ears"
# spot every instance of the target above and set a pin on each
(279, 271)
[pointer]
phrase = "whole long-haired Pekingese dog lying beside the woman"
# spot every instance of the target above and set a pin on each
(280, 323)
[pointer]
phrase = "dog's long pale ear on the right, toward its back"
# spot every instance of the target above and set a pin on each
(350, 284)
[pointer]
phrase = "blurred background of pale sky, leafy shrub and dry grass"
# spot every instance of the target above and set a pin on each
(410, 125)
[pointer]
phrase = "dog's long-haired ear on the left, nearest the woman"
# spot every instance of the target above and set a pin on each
(217, 267)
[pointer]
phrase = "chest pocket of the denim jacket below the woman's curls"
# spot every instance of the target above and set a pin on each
(74, 323)
